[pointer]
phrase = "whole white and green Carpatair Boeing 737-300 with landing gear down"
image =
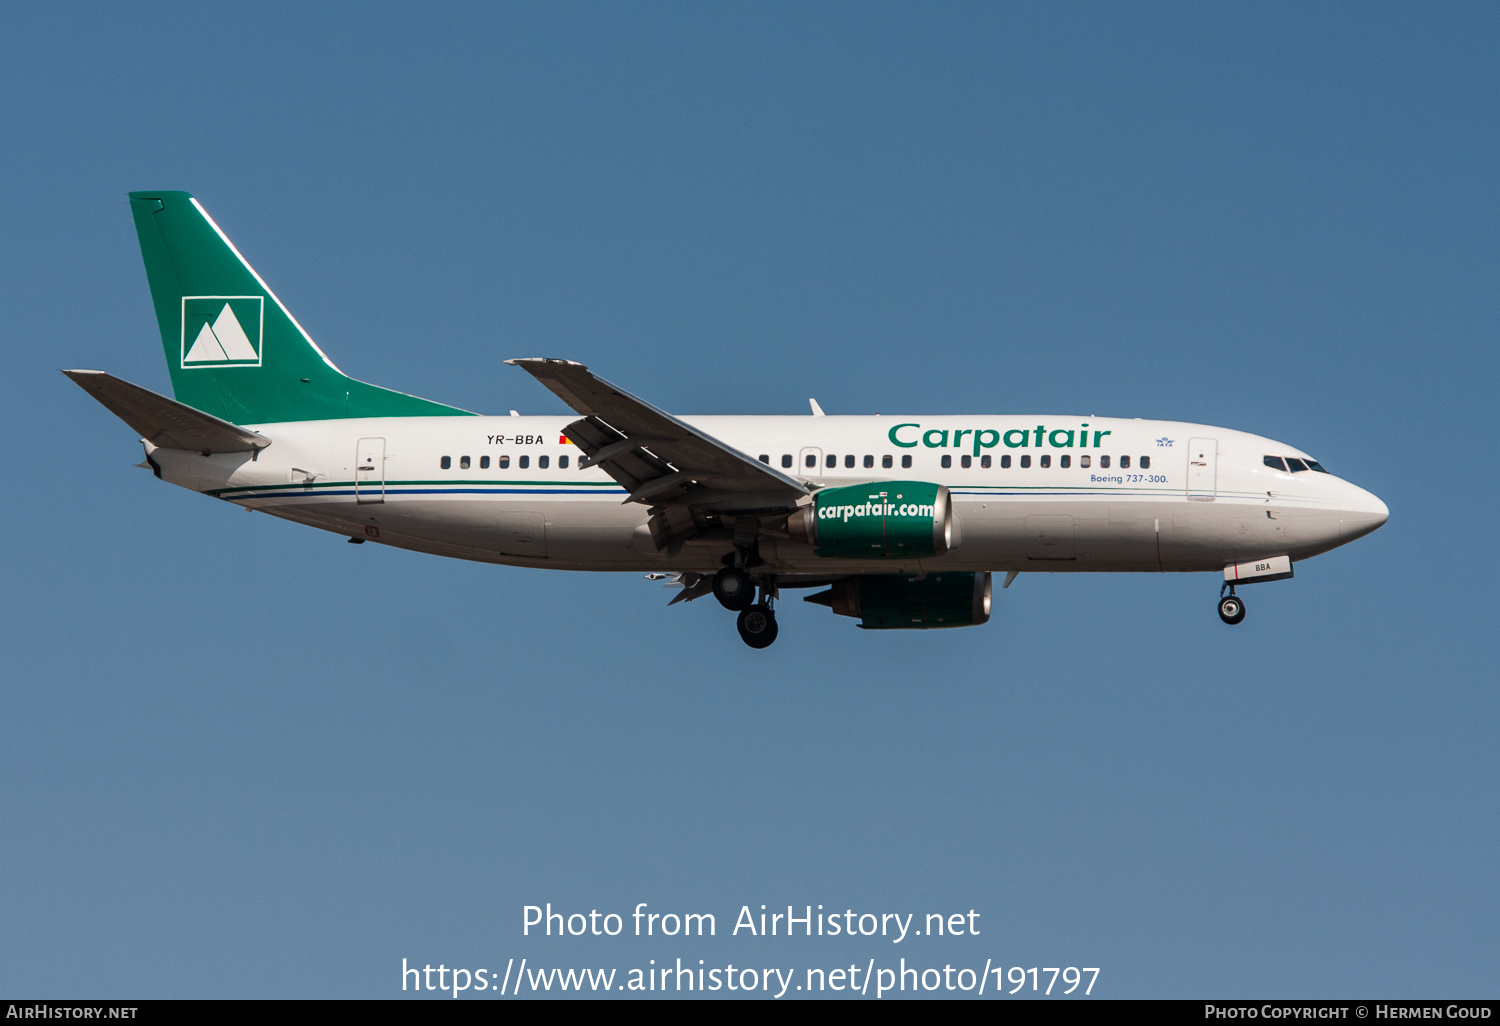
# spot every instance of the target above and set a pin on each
(901, 521)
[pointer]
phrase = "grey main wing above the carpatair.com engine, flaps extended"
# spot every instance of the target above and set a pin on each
(658, 458)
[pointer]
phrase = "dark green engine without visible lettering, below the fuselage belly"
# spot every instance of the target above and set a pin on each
(904, 602)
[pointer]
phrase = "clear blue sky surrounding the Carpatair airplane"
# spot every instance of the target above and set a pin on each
(242, 758)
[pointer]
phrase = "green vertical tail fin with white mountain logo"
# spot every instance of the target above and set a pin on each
(233, 350)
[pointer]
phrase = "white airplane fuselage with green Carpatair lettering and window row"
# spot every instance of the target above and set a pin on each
(1030, 493)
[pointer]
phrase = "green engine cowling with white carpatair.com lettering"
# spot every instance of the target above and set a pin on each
(880, 521)
